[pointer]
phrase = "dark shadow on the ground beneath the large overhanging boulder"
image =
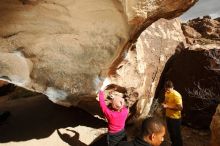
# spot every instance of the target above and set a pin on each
(37, 117)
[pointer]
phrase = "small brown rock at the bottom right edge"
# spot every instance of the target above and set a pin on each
(215, 128)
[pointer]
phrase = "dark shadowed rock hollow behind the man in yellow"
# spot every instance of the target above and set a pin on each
(195, 74)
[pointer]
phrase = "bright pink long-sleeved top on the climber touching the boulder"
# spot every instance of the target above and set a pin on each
(116, 119)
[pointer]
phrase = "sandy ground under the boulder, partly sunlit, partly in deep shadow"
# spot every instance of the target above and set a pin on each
(37, 121)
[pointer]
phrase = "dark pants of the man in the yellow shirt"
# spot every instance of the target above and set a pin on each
(173, 126)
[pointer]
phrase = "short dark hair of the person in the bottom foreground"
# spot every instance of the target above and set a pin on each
(151, 125)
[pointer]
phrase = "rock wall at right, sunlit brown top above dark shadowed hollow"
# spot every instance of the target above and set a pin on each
(195, 71)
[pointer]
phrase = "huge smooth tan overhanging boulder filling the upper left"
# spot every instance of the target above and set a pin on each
(64, 48)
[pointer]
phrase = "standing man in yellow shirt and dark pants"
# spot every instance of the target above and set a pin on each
(173, 106)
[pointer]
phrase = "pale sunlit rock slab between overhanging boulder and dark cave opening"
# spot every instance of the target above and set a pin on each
(142, 66)
